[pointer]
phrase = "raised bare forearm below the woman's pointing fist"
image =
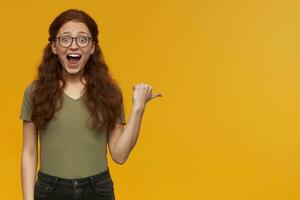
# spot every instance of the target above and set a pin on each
(129, 137)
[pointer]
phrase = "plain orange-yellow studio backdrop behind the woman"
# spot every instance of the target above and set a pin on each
(227, 126)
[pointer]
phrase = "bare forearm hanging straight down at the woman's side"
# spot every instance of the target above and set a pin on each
(28, 175)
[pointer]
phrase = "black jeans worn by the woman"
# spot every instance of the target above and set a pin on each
(96, 187)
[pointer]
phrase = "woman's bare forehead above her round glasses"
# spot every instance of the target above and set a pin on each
(73, 27)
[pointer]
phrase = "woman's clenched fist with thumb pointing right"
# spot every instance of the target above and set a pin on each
(142, 93)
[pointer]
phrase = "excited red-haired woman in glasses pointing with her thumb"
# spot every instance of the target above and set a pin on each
(77, 108)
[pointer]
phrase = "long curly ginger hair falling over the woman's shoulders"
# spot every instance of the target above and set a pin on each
(103, 96)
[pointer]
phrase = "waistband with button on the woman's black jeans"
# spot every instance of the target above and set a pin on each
(74, 181)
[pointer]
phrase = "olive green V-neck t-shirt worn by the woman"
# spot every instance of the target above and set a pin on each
(69, 148)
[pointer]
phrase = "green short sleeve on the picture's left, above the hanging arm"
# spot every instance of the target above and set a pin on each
(26, 108)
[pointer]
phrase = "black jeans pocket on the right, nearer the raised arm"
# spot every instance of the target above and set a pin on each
(104, 187)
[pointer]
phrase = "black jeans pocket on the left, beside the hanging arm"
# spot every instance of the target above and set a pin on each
(43, 189)
